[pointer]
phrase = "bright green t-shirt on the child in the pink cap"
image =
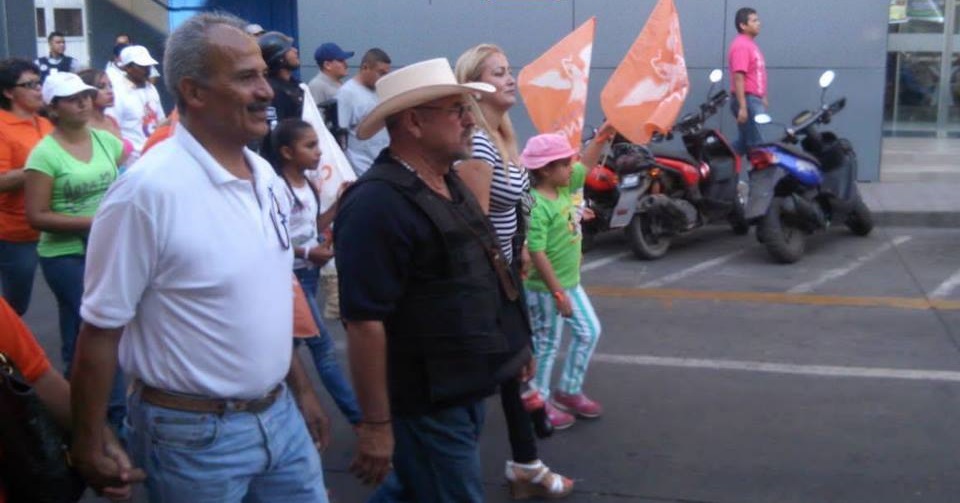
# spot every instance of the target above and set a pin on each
(555, 229)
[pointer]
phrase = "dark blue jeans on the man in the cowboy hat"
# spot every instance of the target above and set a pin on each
(436, 457)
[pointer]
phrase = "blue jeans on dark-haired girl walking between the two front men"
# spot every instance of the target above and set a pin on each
(323, 350)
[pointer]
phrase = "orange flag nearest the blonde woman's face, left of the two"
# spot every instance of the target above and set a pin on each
(554, 86)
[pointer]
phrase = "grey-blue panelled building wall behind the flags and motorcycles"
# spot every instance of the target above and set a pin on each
(799, 40)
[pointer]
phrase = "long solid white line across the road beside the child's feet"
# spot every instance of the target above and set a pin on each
(781, 368)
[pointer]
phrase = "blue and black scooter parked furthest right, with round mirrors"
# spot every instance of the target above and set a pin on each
(797, 191)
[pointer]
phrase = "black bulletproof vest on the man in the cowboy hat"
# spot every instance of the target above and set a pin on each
(458, 311)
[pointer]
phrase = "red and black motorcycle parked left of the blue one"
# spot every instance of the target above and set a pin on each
(655, 193)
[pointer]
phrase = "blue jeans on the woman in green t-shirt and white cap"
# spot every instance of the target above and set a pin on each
(64, 275)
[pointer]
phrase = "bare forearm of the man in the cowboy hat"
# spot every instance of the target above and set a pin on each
(367, 352)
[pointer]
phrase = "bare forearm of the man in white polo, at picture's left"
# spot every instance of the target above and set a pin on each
(92, 374)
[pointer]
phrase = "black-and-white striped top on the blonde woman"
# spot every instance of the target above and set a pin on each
(505, 194)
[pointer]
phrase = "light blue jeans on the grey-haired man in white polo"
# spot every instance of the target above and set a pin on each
(232, 457)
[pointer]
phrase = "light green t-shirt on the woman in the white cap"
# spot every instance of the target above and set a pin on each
(78, 187)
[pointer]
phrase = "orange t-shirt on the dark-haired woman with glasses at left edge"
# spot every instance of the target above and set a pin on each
(17, 138)
